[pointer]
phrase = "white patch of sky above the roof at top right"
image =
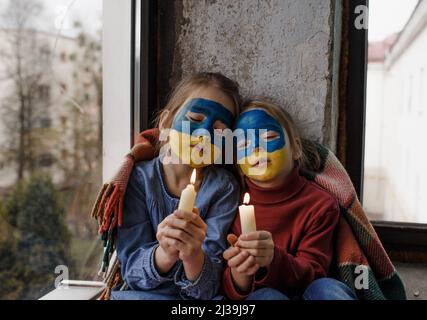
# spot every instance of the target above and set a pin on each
(388, 16)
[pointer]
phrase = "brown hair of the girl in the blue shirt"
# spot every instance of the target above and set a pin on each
(188, 84)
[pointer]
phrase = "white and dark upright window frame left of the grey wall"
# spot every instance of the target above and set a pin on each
(129, 76)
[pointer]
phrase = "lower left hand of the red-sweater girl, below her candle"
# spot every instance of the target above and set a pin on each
(238, 260)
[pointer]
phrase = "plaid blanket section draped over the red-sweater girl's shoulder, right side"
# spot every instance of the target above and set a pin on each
(358, 250)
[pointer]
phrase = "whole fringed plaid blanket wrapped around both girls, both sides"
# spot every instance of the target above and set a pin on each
(360, 260)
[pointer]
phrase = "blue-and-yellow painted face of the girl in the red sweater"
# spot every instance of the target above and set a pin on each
(262, 151)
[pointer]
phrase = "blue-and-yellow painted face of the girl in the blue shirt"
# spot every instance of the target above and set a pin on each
(192, 136)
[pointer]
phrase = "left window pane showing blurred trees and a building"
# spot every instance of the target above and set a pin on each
(50, 143)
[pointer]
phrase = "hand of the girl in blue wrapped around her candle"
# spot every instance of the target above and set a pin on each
(186, 232)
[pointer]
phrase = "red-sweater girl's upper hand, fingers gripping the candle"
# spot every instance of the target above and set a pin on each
(258, 244)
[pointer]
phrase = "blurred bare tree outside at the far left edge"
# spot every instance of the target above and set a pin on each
(24, 63)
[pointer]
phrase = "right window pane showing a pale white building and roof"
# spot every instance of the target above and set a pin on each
(396, 125)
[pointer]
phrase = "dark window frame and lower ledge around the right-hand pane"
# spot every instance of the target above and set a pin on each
(395, 236)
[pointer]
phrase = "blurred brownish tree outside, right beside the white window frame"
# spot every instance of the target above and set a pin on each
(82, 161)
